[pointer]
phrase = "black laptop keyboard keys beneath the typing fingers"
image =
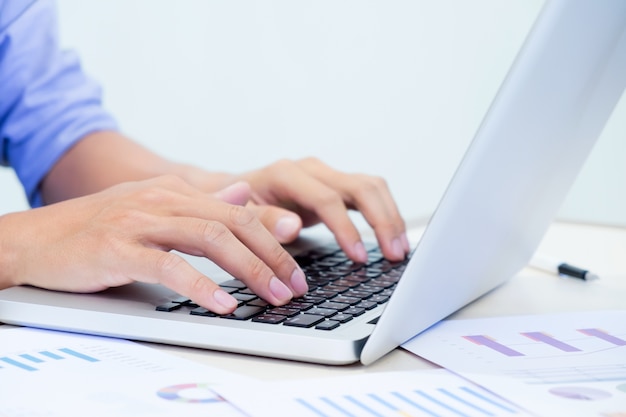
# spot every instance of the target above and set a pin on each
(339, 290)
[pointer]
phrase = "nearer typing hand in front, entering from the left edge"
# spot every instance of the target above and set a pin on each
(125, 233)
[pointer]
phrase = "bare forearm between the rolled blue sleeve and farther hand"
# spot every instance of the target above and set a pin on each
(103, 159)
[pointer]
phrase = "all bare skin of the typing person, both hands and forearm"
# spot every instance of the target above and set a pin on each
(115, 211)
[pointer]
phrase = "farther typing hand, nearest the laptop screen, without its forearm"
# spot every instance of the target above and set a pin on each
(289, 195)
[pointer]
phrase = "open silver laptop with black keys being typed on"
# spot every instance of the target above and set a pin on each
(552, 106)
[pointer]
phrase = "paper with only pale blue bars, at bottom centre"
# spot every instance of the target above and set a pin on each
(417, 393)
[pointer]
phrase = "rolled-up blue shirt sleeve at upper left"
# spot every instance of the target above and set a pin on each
(47, 103)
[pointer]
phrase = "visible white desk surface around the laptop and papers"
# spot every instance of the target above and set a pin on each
(599, 248)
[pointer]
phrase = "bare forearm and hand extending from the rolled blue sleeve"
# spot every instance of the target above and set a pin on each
(287, 195)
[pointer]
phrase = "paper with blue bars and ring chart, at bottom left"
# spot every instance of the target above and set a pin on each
(47, 373)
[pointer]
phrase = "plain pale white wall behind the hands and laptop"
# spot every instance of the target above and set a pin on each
(395, 88)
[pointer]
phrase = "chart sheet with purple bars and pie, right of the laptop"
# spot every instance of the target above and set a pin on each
(570, 364)
